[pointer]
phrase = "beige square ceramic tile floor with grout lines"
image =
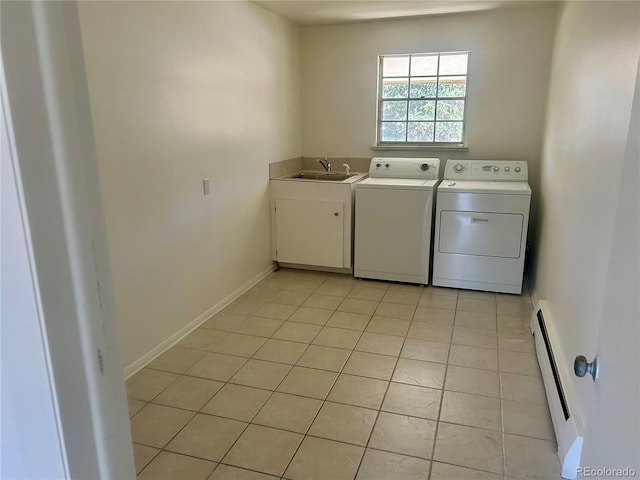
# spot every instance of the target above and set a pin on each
(321, 376)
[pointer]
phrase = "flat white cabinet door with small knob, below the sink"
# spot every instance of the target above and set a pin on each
(310, 232)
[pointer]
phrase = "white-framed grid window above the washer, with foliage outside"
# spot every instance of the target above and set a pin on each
(422, 98)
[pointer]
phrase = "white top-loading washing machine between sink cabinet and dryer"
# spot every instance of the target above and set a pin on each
(394, 210)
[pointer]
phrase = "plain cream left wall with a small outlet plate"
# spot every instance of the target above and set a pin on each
(181, 91)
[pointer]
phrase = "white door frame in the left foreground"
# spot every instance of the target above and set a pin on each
(49, 120)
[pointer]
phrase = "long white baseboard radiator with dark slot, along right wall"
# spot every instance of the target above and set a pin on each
(567, 423)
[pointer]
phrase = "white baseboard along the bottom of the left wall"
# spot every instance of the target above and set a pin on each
(140, 363)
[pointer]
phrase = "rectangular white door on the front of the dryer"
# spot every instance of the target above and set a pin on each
(484, 234)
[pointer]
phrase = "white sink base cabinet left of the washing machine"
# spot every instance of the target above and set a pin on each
(312, 223)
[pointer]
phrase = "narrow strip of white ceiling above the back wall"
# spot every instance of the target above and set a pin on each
(323, 12)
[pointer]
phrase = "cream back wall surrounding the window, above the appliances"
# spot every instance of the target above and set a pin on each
(508, 79)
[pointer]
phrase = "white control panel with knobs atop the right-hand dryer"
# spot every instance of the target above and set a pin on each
(487, 170)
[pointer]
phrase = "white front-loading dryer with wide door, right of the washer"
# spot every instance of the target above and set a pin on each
(482, 215)
